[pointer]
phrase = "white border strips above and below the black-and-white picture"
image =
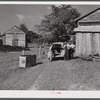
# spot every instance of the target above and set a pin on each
(48, 94)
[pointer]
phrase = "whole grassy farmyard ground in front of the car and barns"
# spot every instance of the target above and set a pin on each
(74, 74)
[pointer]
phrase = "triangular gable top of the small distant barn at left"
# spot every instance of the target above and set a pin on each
(14, 29)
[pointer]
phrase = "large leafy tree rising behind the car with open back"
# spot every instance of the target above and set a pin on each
(60, 21)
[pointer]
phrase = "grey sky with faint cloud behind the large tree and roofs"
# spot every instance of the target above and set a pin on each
(11, 15)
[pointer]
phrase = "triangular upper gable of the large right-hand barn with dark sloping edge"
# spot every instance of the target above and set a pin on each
(90, 17)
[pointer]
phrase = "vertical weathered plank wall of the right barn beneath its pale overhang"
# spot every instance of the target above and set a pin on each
(87, 44)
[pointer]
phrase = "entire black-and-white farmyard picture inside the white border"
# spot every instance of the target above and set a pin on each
(49, 47)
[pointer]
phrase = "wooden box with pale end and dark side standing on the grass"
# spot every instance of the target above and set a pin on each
(27, 61)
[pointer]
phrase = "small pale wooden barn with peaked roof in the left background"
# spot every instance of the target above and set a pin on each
(14, 37)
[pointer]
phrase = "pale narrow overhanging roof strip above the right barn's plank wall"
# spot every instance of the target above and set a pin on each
(87, 29)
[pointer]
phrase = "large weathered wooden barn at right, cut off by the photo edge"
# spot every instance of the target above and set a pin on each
(88, 34)
